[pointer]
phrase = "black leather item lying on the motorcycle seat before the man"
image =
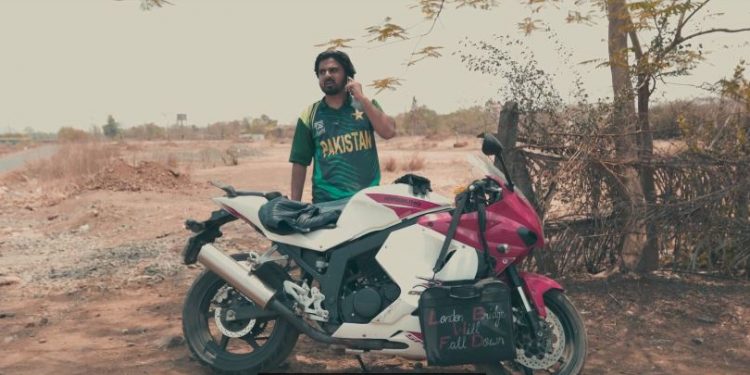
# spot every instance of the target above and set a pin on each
(284, 216)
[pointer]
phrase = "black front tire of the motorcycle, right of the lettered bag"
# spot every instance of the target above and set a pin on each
(564, 321)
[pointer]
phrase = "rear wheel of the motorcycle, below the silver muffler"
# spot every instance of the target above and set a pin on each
(232, 346)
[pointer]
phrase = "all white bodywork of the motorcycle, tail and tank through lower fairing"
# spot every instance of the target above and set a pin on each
(407, 256)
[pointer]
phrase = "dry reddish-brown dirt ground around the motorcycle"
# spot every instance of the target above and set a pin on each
(91, 279)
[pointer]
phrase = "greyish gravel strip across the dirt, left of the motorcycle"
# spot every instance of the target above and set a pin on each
(70, 261)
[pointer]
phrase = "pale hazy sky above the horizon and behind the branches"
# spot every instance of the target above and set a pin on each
(74, 62)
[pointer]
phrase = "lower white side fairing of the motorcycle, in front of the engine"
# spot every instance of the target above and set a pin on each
(408, 256)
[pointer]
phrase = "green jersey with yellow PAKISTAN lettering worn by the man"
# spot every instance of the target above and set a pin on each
(342, 143)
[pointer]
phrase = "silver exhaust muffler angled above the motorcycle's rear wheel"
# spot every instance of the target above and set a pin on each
(236, 275)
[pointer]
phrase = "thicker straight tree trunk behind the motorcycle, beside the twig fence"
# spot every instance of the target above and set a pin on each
(629, 200)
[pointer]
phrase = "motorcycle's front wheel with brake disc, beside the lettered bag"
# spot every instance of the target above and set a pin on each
(566, 343)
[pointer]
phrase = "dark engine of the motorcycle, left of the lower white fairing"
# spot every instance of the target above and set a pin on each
(367, 290)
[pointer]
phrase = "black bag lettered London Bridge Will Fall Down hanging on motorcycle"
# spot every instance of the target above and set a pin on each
(467, 323)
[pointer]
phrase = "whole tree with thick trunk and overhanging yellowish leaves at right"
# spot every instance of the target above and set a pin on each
(668, 54)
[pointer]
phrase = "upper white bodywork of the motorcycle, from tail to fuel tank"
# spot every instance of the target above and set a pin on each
(361, 215)
